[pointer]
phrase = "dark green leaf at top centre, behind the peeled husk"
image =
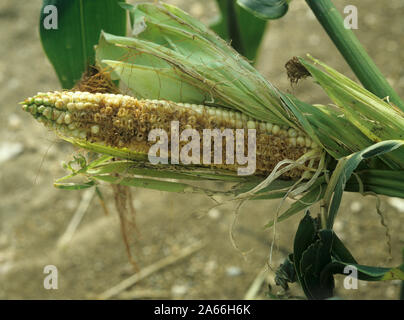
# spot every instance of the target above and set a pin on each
(240, 27)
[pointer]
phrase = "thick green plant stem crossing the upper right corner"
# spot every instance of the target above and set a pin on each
(352, 51)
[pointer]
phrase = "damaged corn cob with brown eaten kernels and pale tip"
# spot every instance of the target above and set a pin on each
(120, 121)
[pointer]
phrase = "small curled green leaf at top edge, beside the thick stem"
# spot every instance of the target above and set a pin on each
(265, 9)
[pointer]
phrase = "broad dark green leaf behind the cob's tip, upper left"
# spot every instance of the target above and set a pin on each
(70, 47)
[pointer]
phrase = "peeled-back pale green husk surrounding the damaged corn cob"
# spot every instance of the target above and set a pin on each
(172, 56)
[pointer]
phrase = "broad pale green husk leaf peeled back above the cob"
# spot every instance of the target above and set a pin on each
(197, 57)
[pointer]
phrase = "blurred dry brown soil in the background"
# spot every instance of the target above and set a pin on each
(34, 215)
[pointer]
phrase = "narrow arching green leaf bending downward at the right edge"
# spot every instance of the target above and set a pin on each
(344, 170)
